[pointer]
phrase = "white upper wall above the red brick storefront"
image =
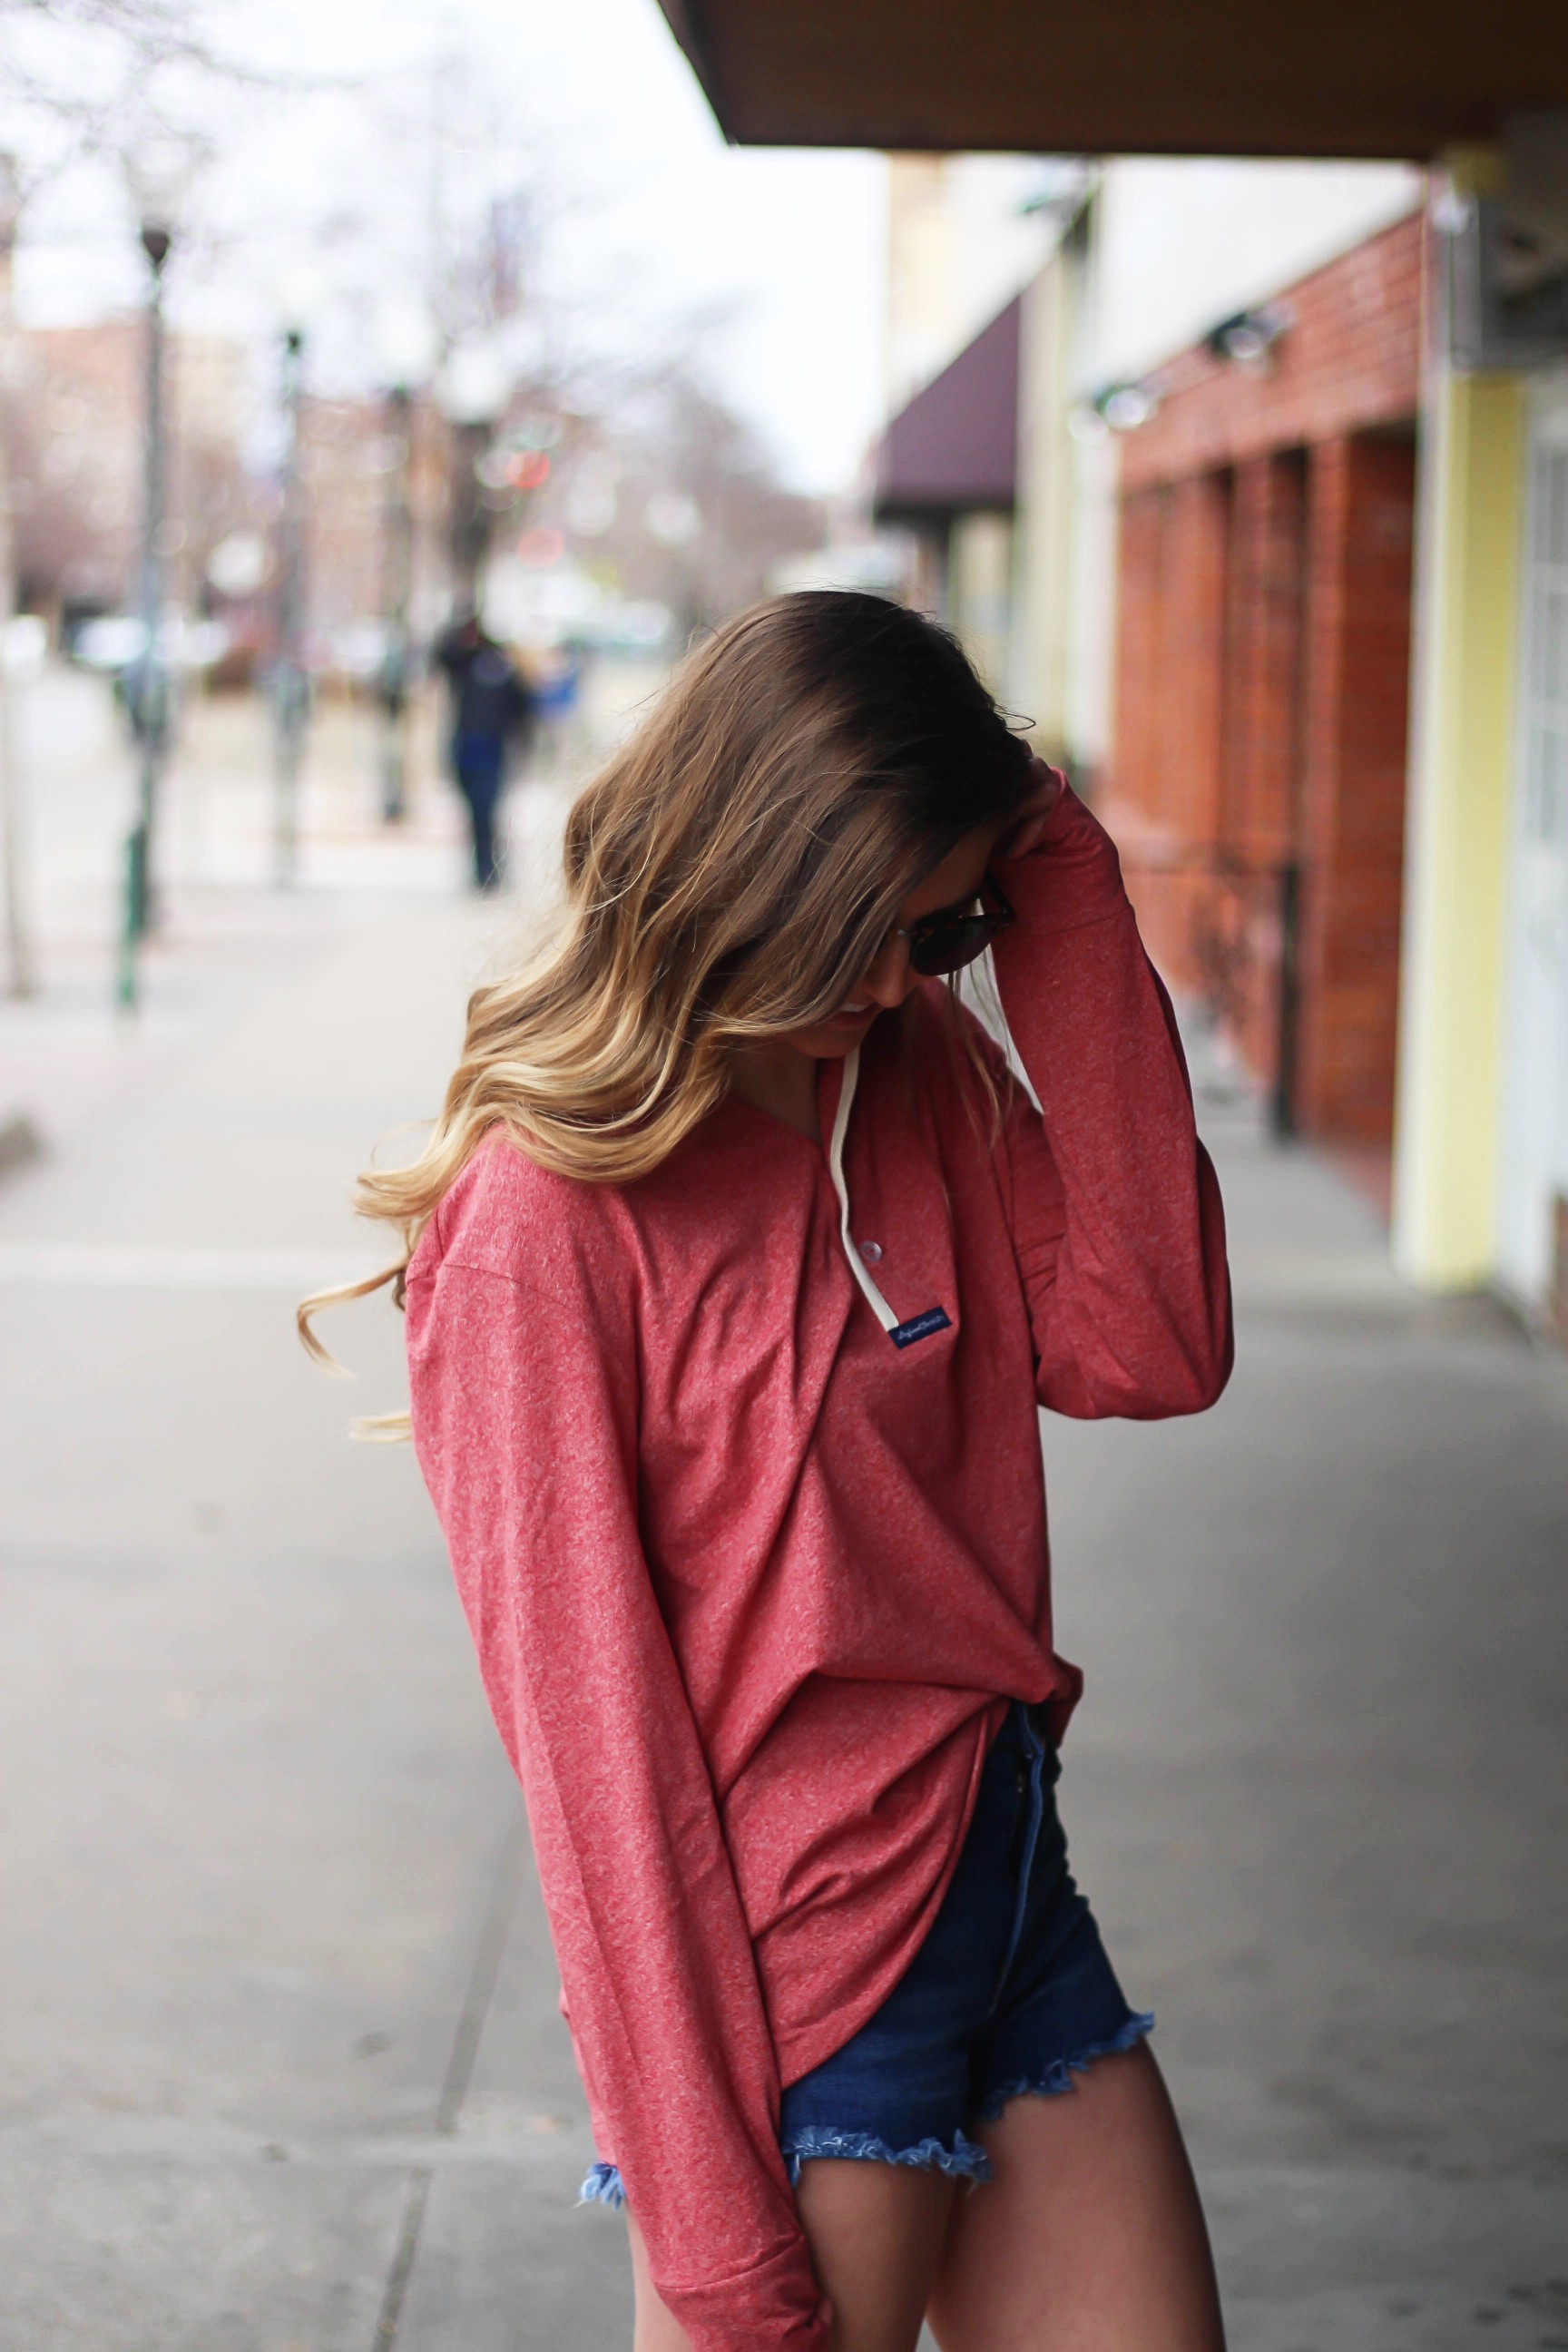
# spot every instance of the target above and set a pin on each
(1186, 243)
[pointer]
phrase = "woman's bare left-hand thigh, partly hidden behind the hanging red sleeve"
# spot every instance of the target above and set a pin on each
(876, 2236)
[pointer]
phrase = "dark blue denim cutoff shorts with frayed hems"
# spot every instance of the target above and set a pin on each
(1007, 1996)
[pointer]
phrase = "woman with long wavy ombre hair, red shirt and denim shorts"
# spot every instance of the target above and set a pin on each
(742, 1269)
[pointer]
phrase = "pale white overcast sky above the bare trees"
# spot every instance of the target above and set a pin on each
(779, 255)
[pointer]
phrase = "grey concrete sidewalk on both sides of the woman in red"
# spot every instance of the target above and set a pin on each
(281, 2054)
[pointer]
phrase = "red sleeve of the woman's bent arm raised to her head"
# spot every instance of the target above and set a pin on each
(1115, 1205)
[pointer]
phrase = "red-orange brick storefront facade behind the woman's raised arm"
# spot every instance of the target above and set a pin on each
(1261, 674)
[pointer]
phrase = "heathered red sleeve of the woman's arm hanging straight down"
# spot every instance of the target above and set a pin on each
(525, 1417)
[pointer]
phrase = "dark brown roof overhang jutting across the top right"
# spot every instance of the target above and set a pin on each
(1125, 76)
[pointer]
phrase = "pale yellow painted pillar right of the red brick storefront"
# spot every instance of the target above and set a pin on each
(1461, 791)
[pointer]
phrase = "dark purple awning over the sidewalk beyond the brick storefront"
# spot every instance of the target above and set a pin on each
(956, 446)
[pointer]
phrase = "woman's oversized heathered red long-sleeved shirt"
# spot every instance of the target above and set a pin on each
(751, 1586)
